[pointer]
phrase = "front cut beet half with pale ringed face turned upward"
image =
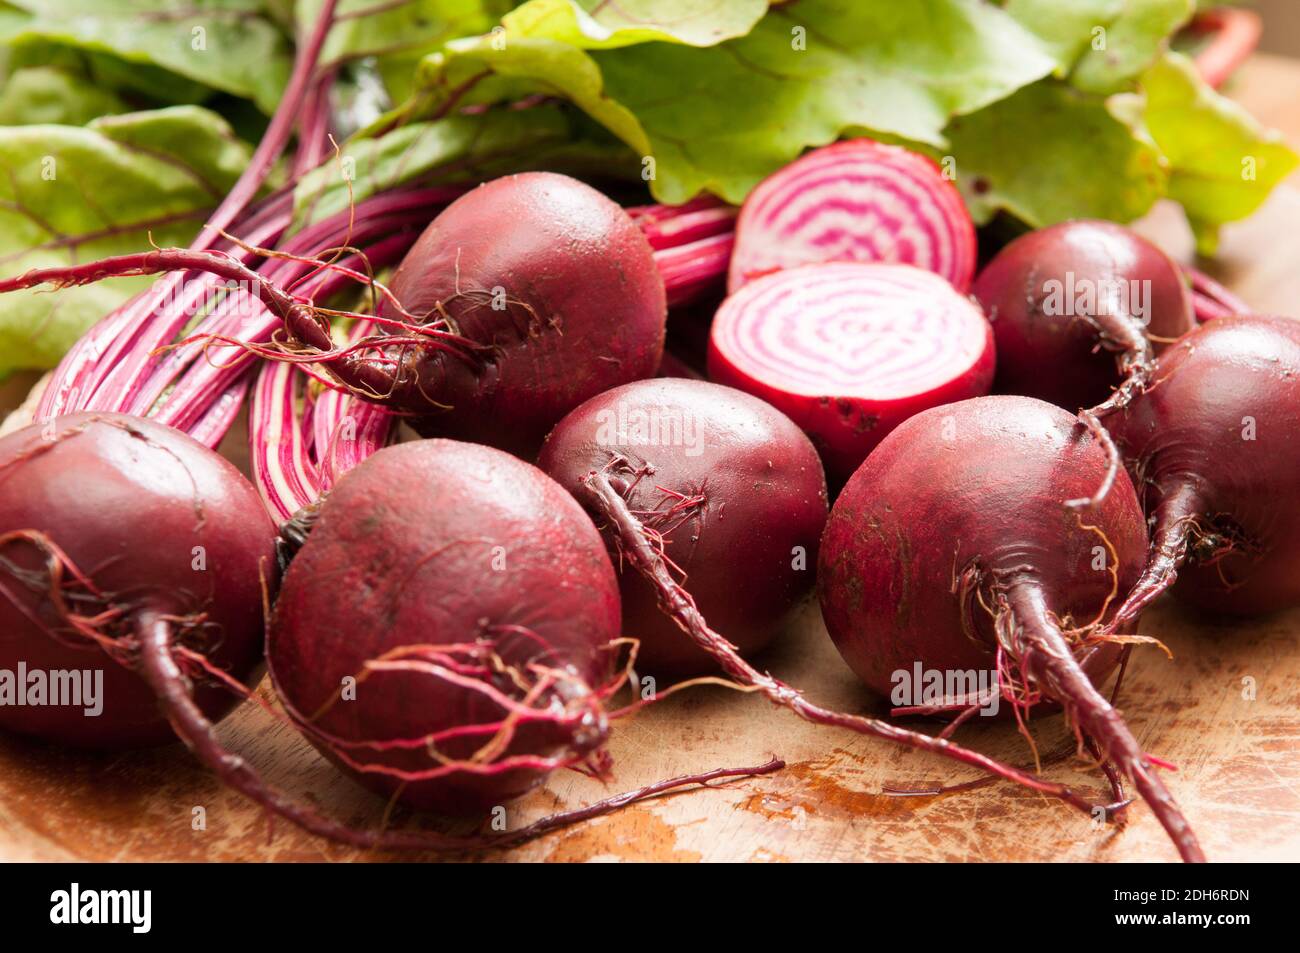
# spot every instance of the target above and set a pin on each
(850, 350)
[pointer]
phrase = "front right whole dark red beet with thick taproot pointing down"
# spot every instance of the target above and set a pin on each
(954, 543)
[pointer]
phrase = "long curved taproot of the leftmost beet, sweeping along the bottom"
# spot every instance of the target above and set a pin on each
(164, 675)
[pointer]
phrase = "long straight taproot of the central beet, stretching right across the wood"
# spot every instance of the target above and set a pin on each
(639, 551)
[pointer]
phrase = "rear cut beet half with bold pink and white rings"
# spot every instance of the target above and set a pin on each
(856, 201)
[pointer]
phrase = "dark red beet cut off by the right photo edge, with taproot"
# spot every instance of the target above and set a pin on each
(1215, 444)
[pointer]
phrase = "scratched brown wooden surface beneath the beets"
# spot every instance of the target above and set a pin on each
(1238, 759)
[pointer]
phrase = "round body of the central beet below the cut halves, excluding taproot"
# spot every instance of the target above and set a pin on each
(734, 490)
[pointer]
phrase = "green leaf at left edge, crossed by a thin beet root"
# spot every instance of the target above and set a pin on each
(75, 194)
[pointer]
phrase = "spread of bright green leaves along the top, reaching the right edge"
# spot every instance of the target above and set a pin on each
(1050, 111)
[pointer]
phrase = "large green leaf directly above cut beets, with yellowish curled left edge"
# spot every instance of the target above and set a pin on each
(722, 119)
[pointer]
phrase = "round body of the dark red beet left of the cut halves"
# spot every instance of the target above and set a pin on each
(556, 280)
